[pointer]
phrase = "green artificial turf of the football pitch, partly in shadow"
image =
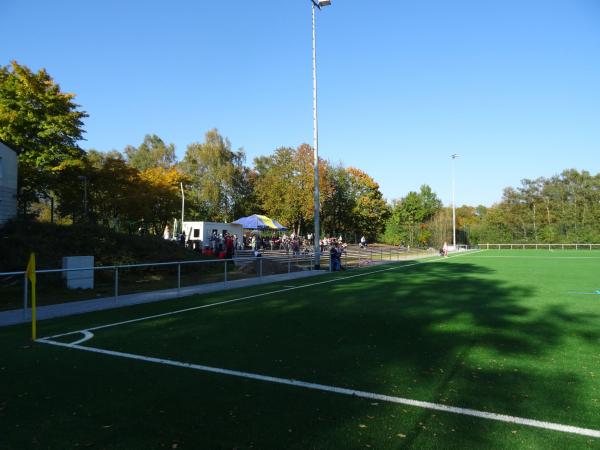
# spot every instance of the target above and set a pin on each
(512, 332)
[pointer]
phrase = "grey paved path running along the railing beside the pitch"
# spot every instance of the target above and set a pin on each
(68, 309)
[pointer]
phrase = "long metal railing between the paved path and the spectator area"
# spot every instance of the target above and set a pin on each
(107, 285)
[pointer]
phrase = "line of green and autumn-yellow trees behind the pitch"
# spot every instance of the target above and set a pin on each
(140, 185)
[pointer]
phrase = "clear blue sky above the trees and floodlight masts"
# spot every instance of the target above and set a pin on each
(512, 85)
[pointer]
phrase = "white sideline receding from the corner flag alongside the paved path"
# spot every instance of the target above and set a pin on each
(248, 297)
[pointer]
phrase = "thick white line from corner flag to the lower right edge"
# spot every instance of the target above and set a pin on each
(343, 391)
